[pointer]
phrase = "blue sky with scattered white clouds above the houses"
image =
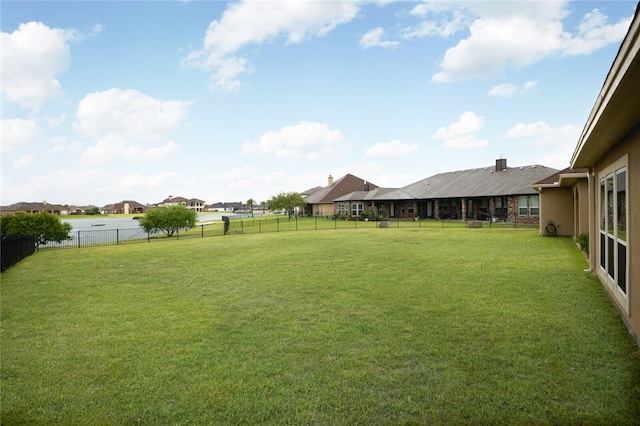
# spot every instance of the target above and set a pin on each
(111, 101)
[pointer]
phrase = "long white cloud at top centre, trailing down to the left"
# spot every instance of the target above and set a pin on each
(256, 22)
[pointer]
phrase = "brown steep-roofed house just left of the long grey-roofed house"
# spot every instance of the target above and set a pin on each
(320, 203)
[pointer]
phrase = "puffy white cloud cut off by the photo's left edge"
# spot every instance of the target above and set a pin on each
(32, 57)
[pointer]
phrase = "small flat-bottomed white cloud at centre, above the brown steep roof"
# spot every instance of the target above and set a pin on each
(304, 140)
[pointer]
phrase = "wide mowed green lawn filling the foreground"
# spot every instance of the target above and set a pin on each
(367, 326)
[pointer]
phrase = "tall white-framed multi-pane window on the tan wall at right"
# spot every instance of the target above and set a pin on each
(613, 213)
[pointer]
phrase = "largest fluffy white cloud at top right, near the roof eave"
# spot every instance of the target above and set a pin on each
(513, 35)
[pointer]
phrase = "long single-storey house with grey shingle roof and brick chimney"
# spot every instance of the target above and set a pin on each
(495, 192)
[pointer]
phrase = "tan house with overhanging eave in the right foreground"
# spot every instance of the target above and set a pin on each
(609, 148)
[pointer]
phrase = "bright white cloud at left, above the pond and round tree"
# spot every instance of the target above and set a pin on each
(128, 114)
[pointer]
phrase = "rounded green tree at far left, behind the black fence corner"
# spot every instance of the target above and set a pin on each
(44, 226)
